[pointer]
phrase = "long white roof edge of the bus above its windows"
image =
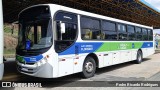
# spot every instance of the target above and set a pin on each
(80, 12)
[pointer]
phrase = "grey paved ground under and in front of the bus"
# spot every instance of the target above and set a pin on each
(148, 70)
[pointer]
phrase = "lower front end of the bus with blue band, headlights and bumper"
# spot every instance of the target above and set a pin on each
(46, 65)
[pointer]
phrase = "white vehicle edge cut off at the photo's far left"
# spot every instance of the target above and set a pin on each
(1, 39)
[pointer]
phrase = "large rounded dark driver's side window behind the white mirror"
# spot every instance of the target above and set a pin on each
(64, 39)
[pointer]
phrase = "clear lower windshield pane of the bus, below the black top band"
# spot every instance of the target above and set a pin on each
(35, 34)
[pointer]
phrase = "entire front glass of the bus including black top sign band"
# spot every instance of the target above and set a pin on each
(35, 30)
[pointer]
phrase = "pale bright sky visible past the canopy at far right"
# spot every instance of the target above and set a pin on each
(155, 4)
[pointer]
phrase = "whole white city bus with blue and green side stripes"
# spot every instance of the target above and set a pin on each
(56, 41)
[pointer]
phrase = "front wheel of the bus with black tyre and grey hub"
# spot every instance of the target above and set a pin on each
(89, 67)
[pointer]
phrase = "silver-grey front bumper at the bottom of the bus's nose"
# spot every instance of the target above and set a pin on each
(43, 71)
